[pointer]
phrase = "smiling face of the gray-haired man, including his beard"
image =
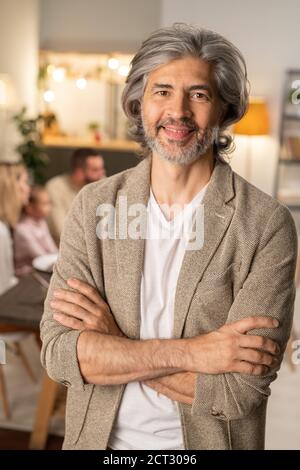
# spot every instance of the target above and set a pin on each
(180, 110)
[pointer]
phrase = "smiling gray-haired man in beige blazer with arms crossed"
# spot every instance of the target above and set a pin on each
(163, 343)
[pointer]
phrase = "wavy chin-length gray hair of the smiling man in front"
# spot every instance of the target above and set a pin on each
(178, 41)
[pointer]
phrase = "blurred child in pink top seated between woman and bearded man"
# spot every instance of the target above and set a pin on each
(32, 237)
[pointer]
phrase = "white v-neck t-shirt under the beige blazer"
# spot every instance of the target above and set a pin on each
(146, 419)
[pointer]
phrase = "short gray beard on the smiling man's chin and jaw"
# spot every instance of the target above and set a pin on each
(184, 156)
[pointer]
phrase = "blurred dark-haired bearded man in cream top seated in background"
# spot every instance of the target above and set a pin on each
(87, 166)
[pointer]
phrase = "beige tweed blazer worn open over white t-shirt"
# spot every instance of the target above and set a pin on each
(245, 267)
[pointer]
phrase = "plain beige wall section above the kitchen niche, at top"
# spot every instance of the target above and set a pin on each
(97, 25)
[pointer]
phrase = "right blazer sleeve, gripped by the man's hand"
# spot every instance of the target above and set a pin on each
(269, 289)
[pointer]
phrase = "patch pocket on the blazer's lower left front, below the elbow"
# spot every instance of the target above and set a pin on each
(76, 410)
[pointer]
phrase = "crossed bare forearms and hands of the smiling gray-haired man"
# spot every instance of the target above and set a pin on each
(106, 357)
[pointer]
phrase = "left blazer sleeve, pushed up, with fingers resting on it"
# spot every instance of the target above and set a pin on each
(59, 344)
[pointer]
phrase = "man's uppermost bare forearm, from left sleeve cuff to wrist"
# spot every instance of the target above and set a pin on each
(106, 359)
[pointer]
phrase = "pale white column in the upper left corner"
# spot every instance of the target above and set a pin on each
(19, 45)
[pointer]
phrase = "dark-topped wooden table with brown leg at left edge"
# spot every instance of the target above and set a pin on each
(22, 306)
